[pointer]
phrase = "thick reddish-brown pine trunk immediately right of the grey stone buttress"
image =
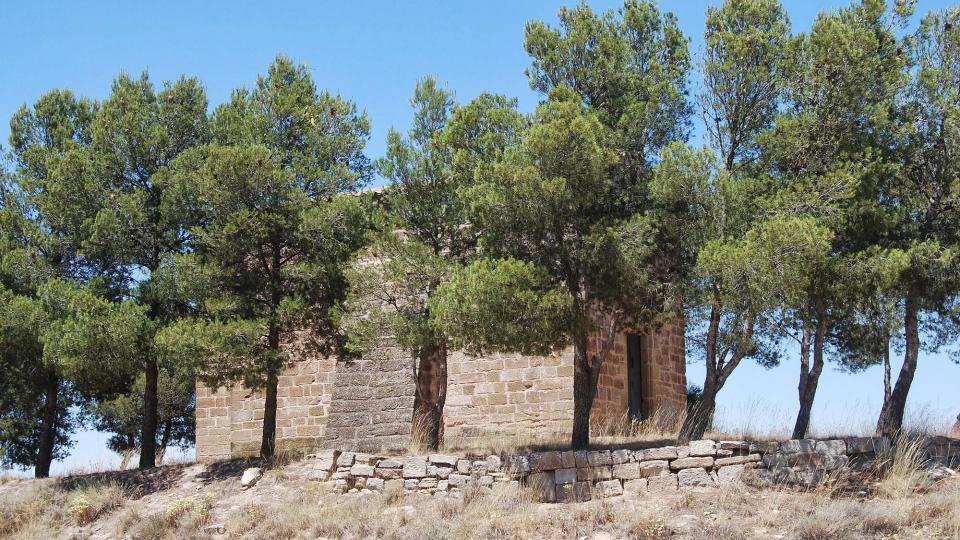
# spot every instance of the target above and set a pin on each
(431, 394)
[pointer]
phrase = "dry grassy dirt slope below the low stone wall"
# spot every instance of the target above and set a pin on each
(198, 501)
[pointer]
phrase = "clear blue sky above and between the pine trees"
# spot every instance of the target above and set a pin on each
(373, 52)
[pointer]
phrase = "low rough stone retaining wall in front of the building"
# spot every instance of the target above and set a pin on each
(565, 476)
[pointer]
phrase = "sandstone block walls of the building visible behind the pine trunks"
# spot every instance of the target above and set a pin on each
(367, 404)
